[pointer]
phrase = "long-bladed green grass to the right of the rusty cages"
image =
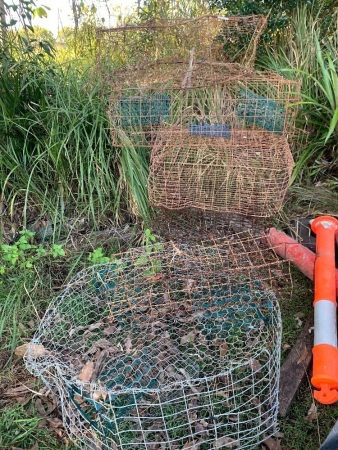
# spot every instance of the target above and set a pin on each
(308, 50)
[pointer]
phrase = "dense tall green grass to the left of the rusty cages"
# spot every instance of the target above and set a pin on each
(55, 150)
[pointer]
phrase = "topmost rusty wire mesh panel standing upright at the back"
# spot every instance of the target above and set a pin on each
(212, 37)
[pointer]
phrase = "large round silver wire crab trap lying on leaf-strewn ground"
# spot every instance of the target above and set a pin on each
(166, 347)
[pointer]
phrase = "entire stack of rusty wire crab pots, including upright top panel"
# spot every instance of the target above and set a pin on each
(217, 131)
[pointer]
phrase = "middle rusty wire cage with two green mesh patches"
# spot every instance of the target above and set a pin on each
(194, 95)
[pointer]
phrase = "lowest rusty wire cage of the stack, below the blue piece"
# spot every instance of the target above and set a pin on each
(247, 173)
